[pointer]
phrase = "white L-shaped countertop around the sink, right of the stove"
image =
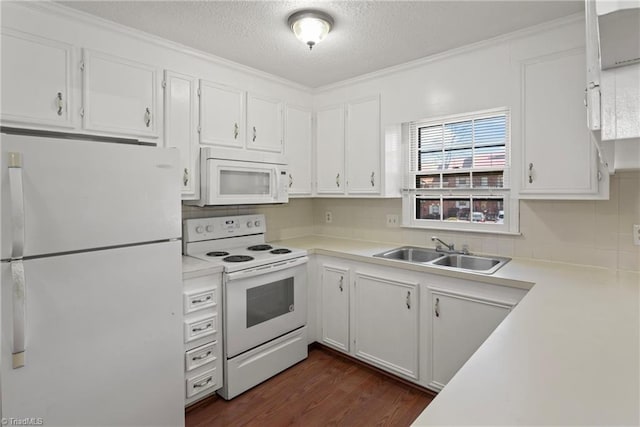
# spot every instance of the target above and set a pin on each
(568, 354)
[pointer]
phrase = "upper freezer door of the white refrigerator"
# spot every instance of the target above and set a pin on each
(84, 194)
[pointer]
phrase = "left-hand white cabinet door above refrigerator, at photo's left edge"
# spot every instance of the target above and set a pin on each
(36, 80)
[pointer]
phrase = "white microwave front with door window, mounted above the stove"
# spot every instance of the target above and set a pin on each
(237, 182)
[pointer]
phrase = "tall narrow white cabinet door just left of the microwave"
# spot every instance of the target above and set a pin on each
(180, 128)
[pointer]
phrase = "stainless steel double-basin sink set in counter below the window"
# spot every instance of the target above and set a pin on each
(476, 263)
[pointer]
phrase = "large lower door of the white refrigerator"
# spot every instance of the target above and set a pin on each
(103, 336)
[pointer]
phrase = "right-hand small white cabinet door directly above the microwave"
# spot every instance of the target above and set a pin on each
(264, 124)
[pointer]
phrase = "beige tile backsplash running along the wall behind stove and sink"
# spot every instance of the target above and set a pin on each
(595, 233)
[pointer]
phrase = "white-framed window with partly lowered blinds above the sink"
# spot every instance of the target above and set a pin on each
(457, 173)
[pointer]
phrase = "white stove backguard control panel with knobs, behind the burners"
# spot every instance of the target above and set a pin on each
(199, 229)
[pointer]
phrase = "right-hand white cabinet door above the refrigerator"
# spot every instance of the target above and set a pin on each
(120, 96)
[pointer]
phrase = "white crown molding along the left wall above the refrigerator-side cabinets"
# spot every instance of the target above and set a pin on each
(67, 12)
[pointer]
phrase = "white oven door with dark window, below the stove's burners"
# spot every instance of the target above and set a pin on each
(264, 303)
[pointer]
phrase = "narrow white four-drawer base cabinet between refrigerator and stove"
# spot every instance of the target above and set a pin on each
(202, 334)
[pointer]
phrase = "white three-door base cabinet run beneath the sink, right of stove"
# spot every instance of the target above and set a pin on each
(400, 322)
